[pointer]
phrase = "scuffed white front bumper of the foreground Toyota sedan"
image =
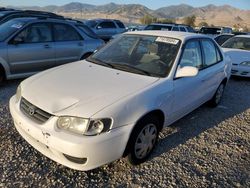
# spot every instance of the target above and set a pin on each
(62, 147)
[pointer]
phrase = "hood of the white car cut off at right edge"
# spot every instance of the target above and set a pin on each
(237, 56)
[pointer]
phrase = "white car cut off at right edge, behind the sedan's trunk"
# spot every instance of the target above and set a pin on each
(238, 48)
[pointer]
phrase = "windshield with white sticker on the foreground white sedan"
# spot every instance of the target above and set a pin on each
(147, 55)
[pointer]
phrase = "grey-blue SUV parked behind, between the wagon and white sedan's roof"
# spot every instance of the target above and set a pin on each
(106, 28)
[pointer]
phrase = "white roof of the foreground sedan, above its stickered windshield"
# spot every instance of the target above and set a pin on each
(171, 34)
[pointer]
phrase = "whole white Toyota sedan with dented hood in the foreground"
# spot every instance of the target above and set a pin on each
(114, 103)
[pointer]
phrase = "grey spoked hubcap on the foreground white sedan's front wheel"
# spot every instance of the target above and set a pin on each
(145, 141)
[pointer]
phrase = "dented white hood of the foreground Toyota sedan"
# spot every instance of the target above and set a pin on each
(81, 88)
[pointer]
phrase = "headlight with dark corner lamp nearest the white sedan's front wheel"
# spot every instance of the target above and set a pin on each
(84, 126)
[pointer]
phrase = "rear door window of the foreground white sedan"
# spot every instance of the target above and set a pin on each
(209, 52)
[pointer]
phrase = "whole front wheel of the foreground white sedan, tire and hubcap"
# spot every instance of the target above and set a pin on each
(139, 149)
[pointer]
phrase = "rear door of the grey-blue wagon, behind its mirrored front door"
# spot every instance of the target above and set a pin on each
(69, 44)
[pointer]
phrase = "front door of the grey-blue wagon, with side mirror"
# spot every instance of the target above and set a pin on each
(35, 52)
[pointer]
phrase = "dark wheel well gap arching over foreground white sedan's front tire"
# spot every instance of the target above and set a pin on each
(158, 113)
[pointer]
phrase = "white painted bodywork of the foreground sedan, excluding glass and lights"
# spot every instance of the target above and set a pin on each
(87, 90)
